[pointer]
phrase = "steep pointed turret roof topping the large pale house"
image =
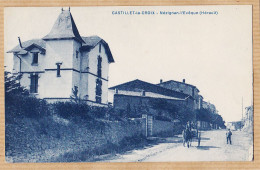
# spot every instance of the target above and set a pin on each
(64, 27)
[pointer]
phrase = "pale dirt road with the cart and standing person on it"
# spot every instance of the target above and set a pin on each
(213, 148)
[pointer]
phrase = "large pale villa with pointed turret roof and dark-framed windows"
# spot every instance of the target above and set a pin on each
(64, 61)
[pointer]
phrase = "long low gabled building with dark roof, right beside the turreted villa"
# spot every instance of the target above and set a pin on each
(133, 94)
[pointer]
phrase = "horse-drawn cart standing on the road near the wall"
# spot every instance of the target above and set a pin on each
(189, 135)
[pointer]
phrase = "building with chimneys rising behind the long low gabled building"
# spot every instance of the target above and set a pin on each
(185, 88)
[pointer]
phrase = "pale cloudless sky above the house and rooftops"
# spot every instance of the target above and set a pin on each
(211, 51)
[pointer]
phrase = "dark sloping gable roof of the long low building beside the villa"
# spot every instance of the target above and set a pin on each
(137, 85)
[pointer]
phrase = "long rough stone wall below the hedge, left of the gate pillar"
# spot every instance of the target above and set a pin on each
(30, 140)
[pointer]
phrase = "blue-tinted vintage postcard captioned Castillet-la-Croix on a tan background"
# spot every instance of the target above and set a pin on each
(128, 84)
